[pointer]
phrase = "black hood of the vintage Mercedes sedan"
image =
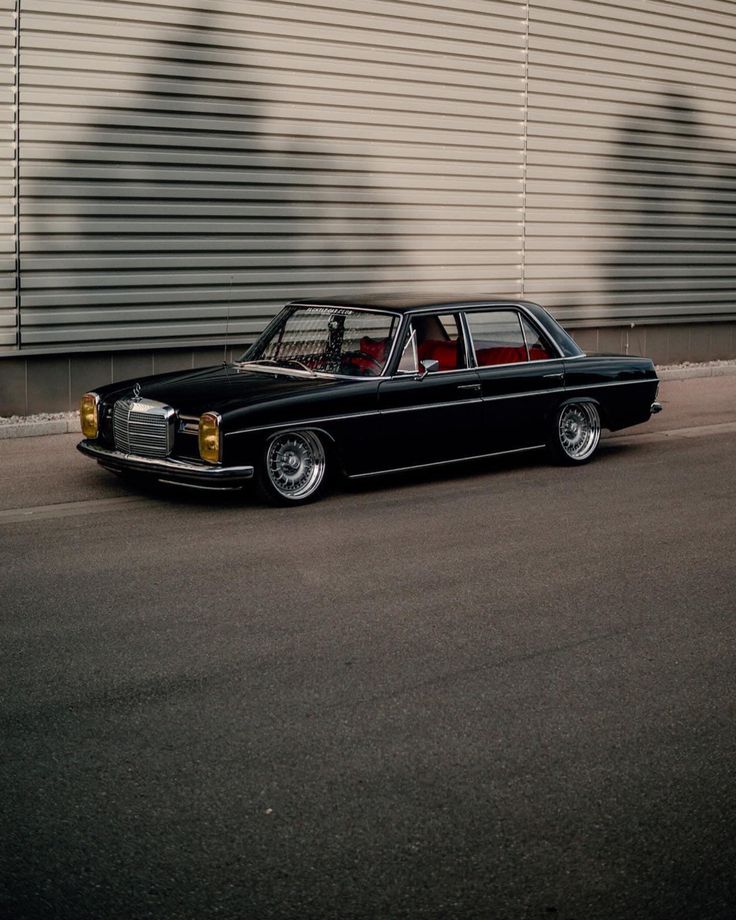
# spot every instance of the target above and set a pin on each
(225, 387)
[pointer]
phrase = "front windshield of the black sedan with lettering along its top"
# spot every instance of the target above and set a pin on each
(333, 340)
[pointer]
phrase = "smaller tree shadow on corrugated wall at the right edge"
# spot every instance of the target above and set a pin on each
(677, 258)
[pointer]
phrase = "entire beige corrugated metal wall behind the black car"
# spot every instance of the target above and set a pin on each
(186, 161)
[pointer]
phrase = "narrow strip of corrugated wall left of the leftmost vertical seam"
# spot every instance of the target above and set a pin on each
(8, 198)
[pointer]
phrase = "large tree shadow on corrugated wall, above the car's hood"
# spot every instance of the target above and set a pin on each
(182, 208)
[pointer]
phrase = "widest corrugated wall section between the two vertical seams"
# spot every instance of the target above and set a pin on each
(183, 161)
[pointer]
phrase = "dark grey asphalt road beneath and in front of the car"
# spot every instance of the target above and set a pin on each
(505, 691)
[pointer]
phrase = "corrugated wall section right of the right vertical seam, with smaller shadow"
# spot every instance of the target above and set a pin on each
(631, 179)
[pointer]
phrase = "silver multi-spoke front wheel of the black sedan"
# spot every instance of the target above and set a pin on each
(294, 468)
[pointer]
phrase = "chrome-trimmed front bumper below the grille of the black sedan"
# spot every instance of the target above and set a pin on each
(168, 469)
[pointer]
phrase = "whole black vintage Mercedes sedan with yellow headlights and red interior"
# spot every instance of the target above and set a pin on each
(357, 389)
